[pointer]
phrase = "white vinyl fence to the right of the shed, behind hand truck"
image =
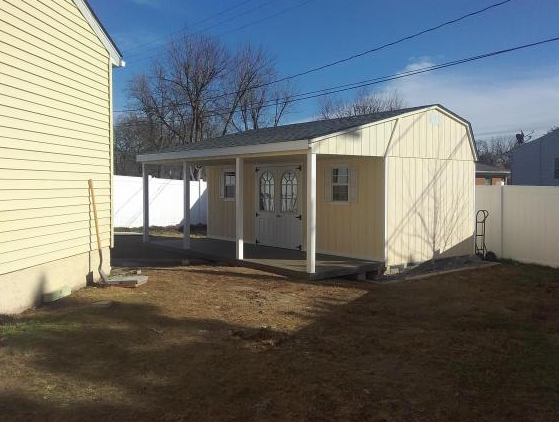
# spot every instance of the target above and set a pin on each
(523, 222)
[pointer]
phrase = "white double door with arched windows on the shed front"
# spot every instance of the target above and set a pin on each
(278, 206)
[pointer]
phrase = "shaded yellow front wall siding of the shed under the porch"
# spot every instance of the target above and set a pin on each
(353, 229)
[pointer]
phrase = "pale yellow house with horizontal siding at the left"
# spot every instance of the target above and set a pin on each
(55, 134)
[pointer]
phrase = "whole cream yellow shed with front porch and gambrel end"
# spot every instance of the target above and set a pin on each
(389, 188)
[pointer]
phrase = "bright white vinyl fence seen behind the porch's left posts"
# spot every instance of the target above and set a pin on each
(165, 202)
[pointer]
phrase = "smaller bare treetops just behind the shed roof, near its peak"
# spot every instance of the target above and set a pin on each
(365, 102)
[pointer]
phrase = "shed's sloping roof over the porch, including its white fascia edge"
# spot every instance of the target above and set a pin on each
(273, 139)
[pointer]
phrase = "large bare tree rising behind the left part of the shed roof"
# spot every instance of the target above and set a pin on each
(200, 89)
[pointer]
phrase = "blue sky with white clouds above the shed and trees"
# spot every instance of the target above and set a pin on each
(499, 95)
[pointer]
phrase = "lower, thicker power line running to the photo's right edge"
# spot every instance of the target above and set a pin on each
(388, 78)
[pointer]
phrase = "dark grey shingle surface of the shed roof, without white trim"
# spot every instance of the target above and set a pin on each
(293, 132)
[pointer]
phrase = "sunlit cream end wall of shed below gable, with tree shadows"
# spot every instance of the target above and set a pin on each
(430, 209)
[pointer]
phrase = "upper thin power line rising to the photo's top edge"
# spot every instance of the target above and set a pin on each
(370, 51)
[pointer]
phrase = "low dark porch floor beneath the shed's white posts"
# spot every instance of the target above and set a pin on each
(276, 260)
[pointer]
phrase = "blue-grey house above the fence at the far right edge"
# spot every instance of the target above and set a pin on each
(537, 162)
